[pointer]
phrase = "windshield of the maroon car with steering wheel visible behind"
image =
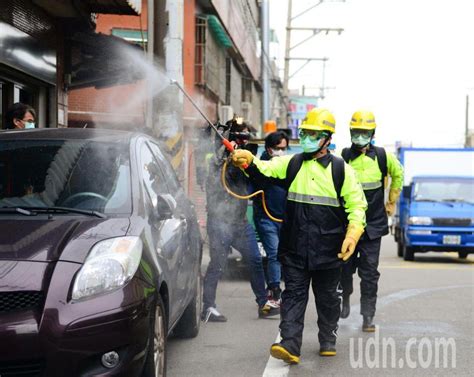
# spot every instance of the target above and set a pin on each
(81, 174)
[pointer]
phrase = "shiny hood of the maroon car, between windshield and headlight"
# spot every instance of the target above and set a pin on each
(68, 238)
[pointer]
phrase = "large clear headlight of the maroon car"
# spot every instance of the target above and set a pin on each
(110, 265)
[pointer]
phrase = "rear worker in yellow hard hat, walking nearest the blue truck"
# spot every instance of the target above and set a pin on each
(372, 165)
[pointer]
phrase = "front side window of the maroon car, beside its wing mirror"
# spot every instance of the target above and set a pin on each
(153, 177)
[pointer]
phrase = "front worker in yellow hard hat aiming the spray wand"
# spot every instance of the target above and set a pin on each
(323, 220)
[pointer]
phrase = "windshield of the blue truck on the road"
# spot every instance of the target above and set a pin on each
(446, 191)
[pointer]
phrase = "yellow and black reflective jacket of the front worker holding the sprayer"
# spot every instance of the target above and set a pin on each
(315, 219)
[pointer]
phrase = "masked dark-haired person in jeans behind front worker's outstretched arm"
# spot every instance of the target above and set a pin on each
(268, 229)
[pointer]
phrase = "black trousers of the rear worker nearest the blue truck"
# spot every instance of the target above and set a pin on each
(366, 261)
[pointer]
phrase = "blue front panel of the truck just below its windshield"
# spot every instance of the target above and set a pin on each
(441, 209)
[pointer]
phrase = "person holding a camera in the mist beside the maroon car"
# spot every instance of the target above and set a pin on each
(227, 226)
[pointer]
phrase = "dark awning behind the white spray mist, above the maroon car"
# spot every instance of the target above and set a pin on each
(100, 60)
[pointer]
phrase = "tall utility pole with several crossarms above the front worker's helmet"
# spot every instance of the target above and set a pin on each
(289, 47)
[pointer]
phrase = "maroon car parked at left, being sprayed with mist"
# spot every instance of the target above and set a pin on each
(100, 254)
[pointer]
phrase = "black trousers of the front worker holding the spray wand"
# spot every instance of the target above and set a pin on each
(295, 299)
